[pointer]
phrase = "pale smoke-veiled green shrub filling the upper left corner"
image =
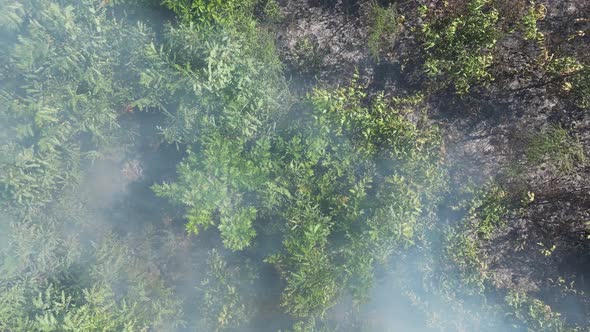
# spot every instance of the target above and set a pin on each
(64, 85)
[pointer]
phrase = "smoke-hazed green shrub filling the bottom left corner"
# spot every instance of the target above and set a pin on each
(53, 281)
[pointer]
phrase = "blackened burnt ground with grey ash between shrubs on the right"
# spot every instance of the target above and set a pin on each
(485, 132)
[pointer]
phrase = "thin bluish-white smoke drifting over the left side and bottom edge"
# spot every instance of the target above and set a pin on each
(106, 243)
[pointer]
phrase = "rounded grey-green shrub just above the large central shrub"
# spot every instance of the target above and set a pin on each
(215, 82)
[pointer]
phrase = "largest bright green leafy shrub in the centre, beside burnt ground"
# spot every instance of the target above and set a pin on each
(317, 178)
